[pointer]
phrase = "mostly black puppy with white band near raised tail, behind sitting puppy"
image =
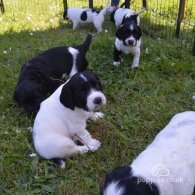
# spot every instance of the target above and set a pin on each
(41, 75)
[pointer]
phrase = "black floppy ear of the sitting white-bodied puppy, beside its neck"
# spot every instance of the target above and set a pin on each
(66, 97)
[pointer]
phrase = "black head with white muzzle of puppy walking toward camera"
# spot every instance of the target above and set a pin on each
(129, 32)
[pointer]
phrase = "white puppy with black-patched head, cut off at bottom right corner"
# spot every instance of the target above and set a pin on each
(165, 167)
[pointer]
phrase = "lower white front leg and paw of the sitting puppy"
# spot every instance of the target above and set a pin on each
(87, 140)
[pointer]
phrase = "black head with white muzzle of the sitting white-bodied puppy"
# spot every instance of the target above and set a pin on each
(84, 91)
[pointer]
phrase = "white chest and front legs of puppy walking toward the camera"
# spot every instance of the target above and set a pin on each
(135, 51)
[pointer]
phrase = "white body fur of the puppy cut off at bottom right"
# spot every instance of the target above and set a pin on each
(169, 161)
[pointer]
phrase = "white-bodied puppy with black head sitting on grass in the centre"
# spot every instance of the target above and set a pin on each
(62, 118)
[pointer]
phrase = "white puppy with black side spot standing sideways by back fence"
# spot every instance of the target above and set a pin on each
(85, 15)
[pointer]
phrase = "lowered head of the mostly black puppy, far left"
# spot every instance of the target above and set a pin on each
(29, 94)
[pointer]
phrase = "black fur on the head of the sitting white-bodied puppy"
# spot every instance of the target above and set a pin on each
(75, 92)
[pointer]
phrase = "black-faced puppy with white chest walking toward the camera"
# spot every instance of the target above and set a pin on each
(128, 35)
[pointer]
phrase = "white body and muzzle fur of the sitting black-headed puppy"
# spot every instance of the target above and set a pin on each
(57, 127)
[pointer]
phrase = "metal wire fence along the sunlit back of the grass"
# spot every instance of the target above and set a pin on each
(172, 20)
